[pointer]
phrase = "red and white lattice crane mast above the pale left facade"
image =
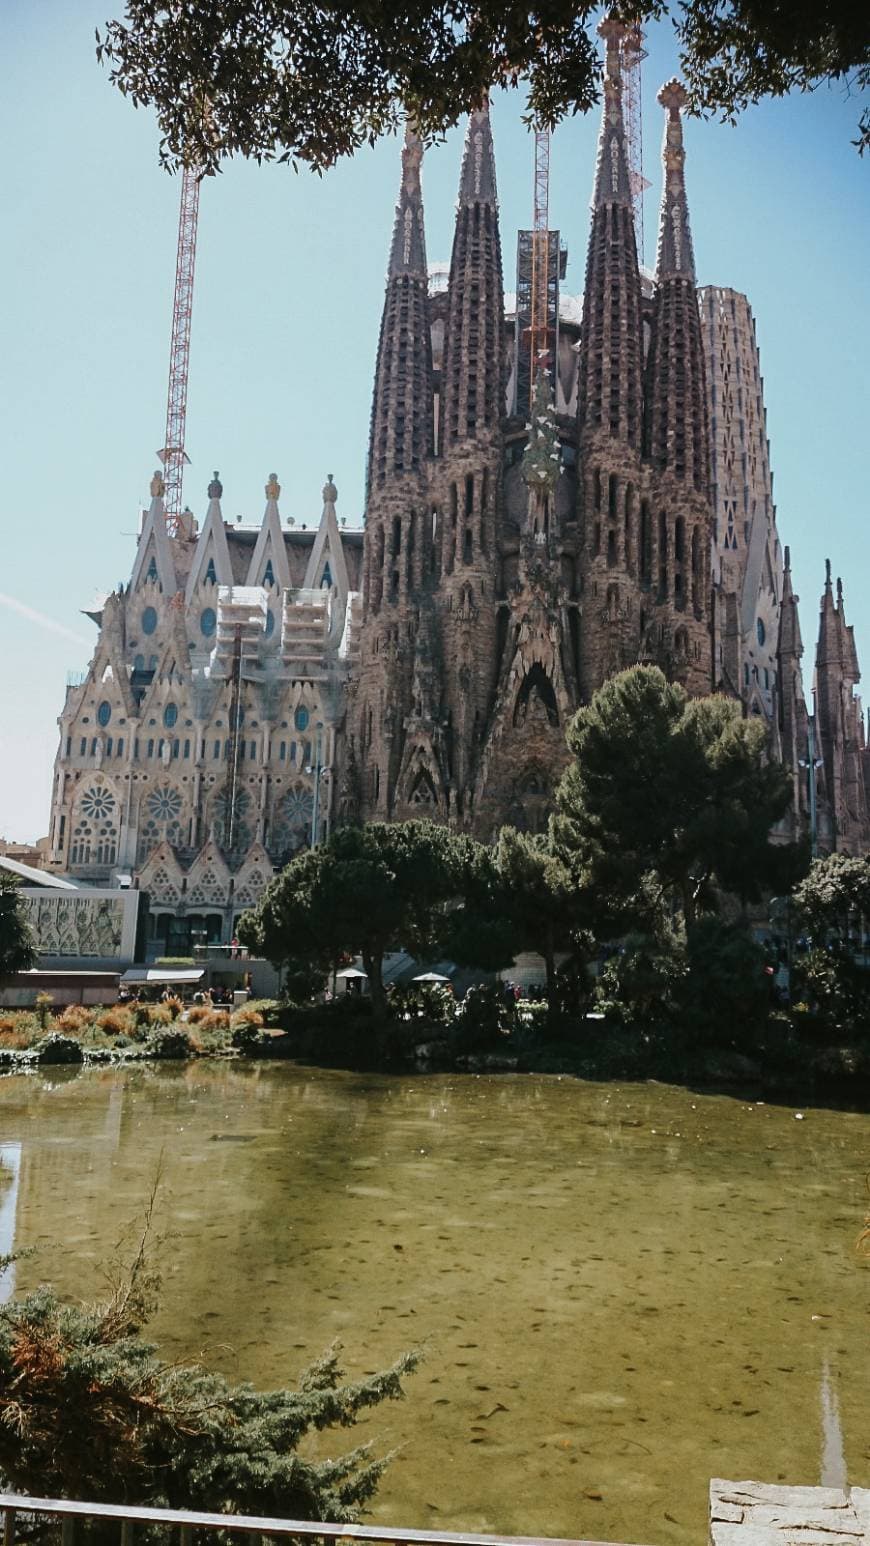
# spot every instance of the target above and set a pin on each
(174, 455)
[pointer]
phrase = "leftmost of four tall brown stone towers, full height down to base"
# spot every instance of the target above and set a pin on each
(398, 540)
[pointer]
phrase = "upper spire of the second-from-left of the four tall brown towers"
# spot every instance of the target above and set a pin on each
(474, 342)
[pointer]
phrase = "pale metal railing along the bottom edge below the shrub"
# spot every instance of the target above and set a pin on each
(254, 1528)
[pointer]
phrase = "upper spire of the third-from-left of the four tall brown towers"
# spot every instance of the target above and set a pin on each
(611, 356)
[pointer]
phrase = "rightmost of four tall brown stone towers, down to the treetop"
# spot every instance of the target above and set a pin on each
(678, 434)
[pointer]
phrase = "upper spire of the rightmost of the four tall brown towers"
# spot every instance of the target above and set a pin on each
(676, 398)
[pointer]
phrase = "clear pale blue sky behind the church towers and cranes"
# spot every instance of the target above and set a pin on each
(290, 284)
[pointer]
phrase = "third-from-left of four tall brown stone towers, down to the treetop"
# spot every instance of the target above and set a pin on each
(613, 512)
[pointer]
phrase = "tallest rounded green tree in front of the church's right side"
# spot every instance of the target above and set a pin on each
(673, 791)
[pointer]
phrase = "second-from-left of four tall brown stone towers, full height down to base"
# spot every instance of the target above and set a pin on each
(471, 469)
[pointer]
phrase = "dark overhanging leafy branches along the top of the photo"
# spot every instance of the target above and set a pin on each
(299, 81)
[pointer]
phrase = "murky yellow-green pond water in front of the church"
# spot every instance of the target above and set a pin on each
(620, 1290)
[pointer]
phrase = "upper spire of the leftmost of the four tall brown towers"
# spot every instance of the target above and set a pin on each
(403, 407)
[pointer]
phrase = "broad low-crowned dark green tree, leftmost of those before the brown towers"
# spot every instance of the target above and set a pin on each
(362, 893)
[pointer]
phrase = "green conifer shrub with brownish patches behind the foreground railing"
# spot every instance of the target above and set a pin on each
(89, 1409)
